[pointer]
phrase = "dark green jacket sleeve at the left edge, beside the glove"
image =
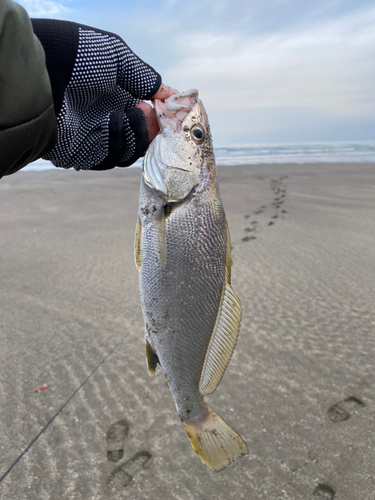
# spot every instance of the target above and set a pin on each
(28, 126)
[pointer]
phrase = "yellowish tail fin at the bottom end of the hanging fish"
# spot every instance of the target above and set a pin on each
(214, 441)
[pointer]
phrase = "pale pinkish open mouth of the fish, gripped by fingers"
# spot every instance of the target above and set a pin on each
(172, 112)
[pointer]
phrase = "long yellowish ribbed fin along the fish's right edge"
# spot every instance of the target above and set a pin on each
(224, 337)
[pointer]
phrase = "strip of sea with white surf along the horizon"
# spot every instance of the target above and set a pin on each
(255, 154)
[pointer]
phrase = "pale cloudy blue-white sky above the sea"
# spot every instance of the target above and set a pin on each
(267, 70)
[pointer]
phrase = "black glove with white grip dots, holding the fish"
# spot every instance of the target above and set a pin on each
(96, 81)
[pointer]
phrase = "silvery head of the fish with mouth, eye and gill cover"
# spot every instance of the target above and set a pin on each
(174, 160)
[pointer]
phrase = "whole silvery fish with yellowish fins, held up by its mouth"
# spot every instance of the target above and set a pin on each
(183, 255)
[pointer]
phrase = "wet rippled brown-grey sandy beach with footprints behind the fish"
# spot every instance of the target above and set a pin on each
(300, 388)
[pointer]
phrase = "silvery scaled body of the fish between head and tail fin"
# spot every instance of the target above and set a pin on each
(181, 293)
